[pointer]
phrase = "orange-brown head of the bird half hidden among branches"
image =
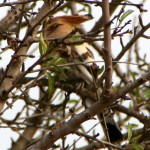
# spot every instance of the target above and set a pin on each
(61, 26)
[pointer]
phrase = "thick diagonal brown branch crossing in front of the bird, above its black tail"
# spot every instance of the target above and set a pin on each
(73, 124)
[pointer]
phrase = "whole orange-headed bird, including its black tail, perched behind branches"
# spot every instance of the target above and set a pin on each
(61, 27)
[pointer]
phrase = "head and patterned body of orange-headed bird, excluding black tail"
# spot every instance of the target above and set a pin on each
(60, 27)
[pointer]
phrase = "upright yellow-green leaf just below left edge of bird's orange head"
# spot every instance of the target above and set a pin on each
(42, 45)
